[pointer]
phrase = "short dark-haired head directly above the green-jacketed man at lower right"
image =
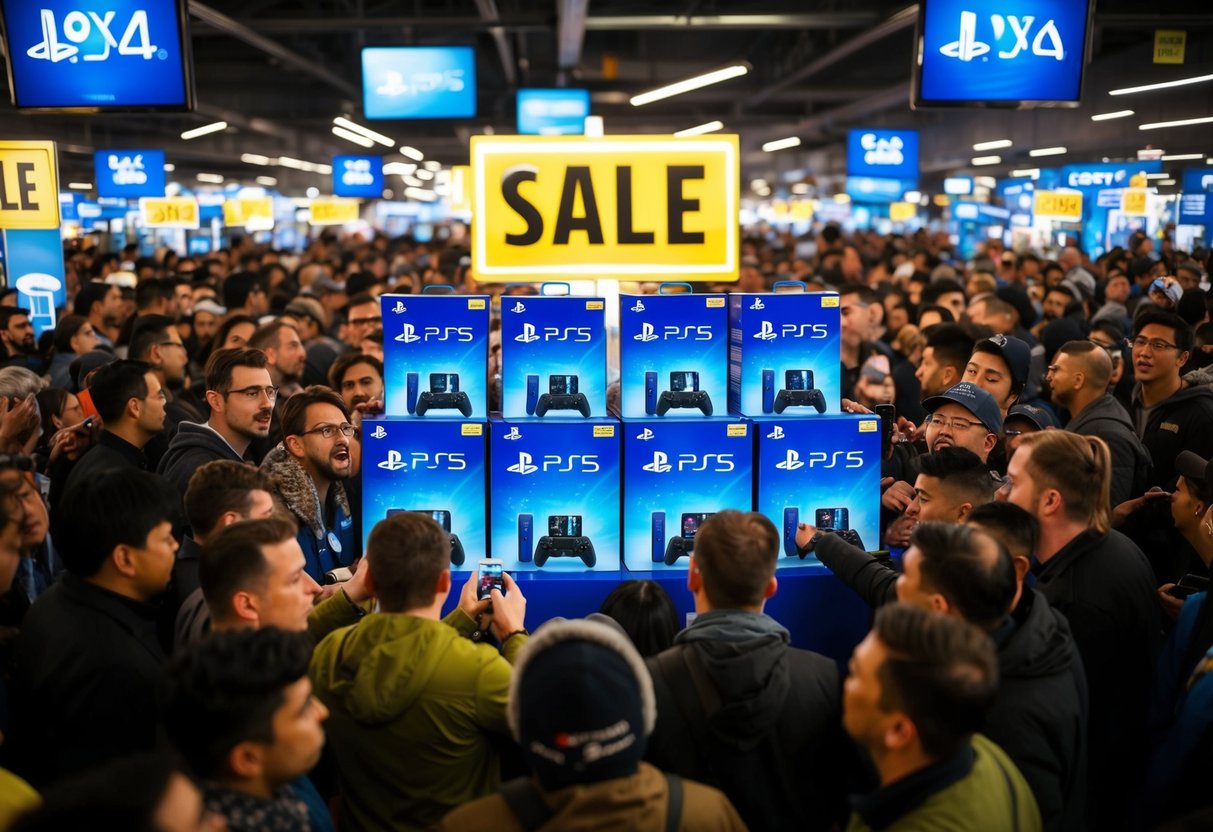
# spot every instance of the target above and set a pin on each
(959, 571)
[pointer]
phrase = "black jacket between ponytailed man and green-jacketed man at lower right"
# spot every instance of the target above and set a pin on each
(1040, 717)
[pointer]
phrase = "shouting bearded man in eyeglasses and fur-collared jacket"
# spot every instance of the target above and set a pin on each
(309, 469)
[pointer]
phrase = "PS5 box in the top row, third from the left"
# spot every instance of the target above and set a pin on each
(674, 356)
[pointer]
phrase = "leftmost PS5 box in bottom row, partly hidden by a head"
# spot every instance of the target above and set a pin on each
(435, 468)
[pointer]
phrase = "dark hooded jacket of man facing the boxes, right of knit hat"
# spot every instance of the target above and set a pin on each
(772, 740)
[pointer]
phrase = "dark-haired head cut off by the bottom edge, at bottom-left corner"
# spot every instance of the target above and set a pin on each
(144, 794)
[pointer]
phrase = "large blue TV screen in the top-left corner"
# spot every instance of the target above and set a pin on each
(88, 56)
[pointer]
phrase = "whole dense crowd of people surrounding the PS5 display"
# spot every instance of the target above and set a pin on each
(193, 639)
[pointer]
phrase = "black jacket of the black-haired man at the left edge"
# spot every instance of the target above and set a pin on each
(86, 673)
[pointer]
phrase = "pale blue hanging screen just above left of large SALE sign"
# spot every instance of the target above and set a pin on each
(419, 83)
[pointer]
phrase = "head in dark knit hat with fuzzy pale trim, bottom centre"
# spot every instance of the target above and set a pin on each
(605, 692)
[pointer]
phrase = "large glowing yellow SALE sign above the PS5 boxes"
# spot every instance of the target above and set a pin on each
(622, 207)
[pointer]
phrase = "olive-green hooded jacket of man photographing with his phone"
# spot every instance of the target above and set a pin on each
(415, 709)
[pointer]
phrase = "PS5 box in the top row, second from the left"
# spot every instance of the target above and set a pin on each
(554, 357)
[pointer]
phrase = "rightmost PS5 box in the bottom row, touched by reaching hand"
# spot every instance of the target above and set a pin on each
(825, 472)
